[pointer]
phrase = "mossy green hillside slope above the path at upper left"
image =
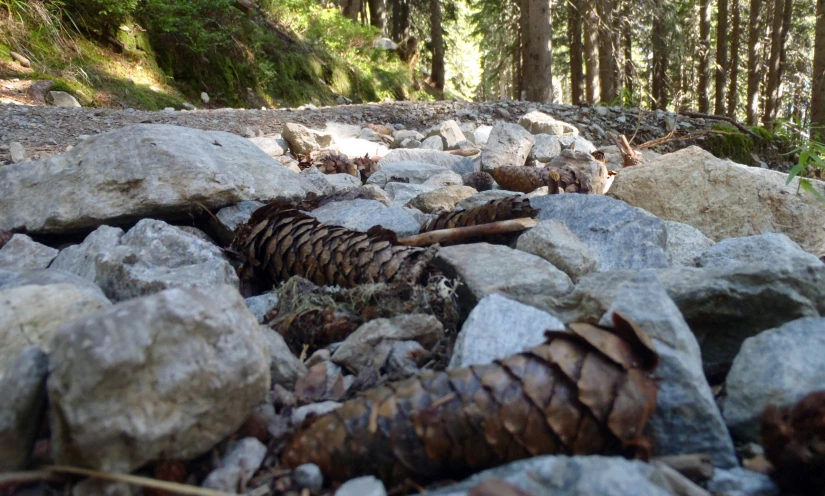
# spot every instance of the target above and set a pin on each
(153, 54)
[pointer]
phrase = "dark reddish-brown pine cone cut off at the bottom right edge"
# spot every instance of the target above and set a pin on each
(794, 442)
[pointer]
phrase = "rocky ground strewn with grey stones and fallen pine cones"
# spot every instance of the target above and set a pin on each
(137, 337)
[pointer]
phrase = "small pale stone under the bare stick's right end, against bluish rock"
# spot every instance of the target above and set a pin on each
(554, 242)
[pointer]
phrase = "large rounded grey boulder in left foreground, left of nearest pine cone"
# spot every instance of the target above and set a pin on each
(167, 375)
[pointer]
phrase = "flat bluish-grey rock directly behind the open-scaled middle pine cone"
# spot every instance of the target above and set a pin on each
(361, 215)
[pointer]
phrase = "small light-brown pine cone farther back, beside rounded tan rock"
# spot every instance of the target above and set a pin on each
(528, 179)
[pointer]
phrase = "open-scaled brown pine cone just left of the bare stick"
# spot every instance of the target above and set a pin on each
(280, 242)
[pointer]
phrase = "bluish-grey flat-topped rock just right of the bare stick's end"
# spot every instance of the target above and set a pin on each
(623, 237)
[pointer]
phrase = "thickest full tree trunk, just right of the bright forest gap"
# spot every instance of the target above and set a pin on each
(538, 52)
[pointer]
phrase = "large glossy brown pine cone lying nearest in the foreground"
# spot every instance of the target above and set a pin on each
(587, 390)
